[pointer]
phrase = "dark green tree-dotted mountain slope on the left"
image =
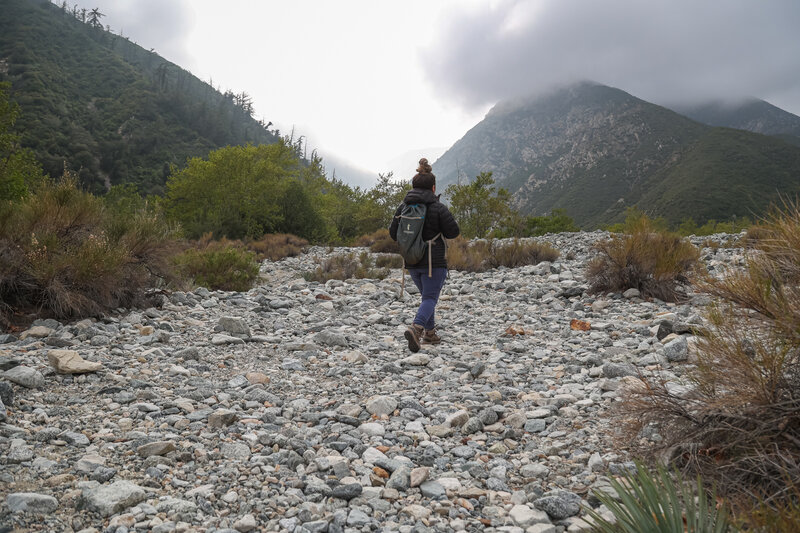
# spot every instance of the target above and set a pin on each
(106, 107)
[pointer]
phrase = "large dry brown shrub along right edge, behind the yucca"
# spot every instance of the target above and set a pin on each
(738, 421)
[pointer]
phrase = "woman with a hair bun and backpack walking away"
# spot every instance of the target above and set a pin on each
(429, 272)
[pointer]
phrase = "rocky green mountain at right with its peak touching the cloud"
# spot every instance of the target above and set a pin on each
(594, 151)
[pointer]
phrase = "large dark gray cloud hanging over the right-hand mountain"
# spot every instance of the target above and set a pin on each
(665, 51)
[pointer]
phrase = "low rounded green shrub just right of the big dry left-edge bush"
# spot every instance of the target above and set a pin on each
(219, 266)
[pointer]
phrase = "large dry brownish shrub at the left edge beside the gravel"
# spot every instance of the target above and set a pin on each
(65, 255)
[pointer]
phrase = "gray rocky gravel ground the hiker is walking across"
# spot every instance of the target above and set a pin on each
(297, 406)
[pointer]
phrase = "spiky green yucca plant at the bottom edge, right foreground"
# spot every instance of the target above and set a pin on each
(660, 502)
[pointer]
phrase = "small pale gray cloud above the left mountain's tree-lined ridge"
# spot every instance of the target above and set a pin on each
(151, 24)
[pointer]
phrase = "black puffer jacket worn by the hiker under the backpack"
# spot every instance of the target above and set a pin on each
(438, 219)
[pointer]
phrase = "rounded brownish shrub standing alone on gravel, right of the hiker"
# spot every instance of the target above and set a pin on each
(657, 263)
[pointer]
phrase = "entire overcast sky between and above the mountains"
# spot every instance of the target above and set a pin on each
(368, 80)
